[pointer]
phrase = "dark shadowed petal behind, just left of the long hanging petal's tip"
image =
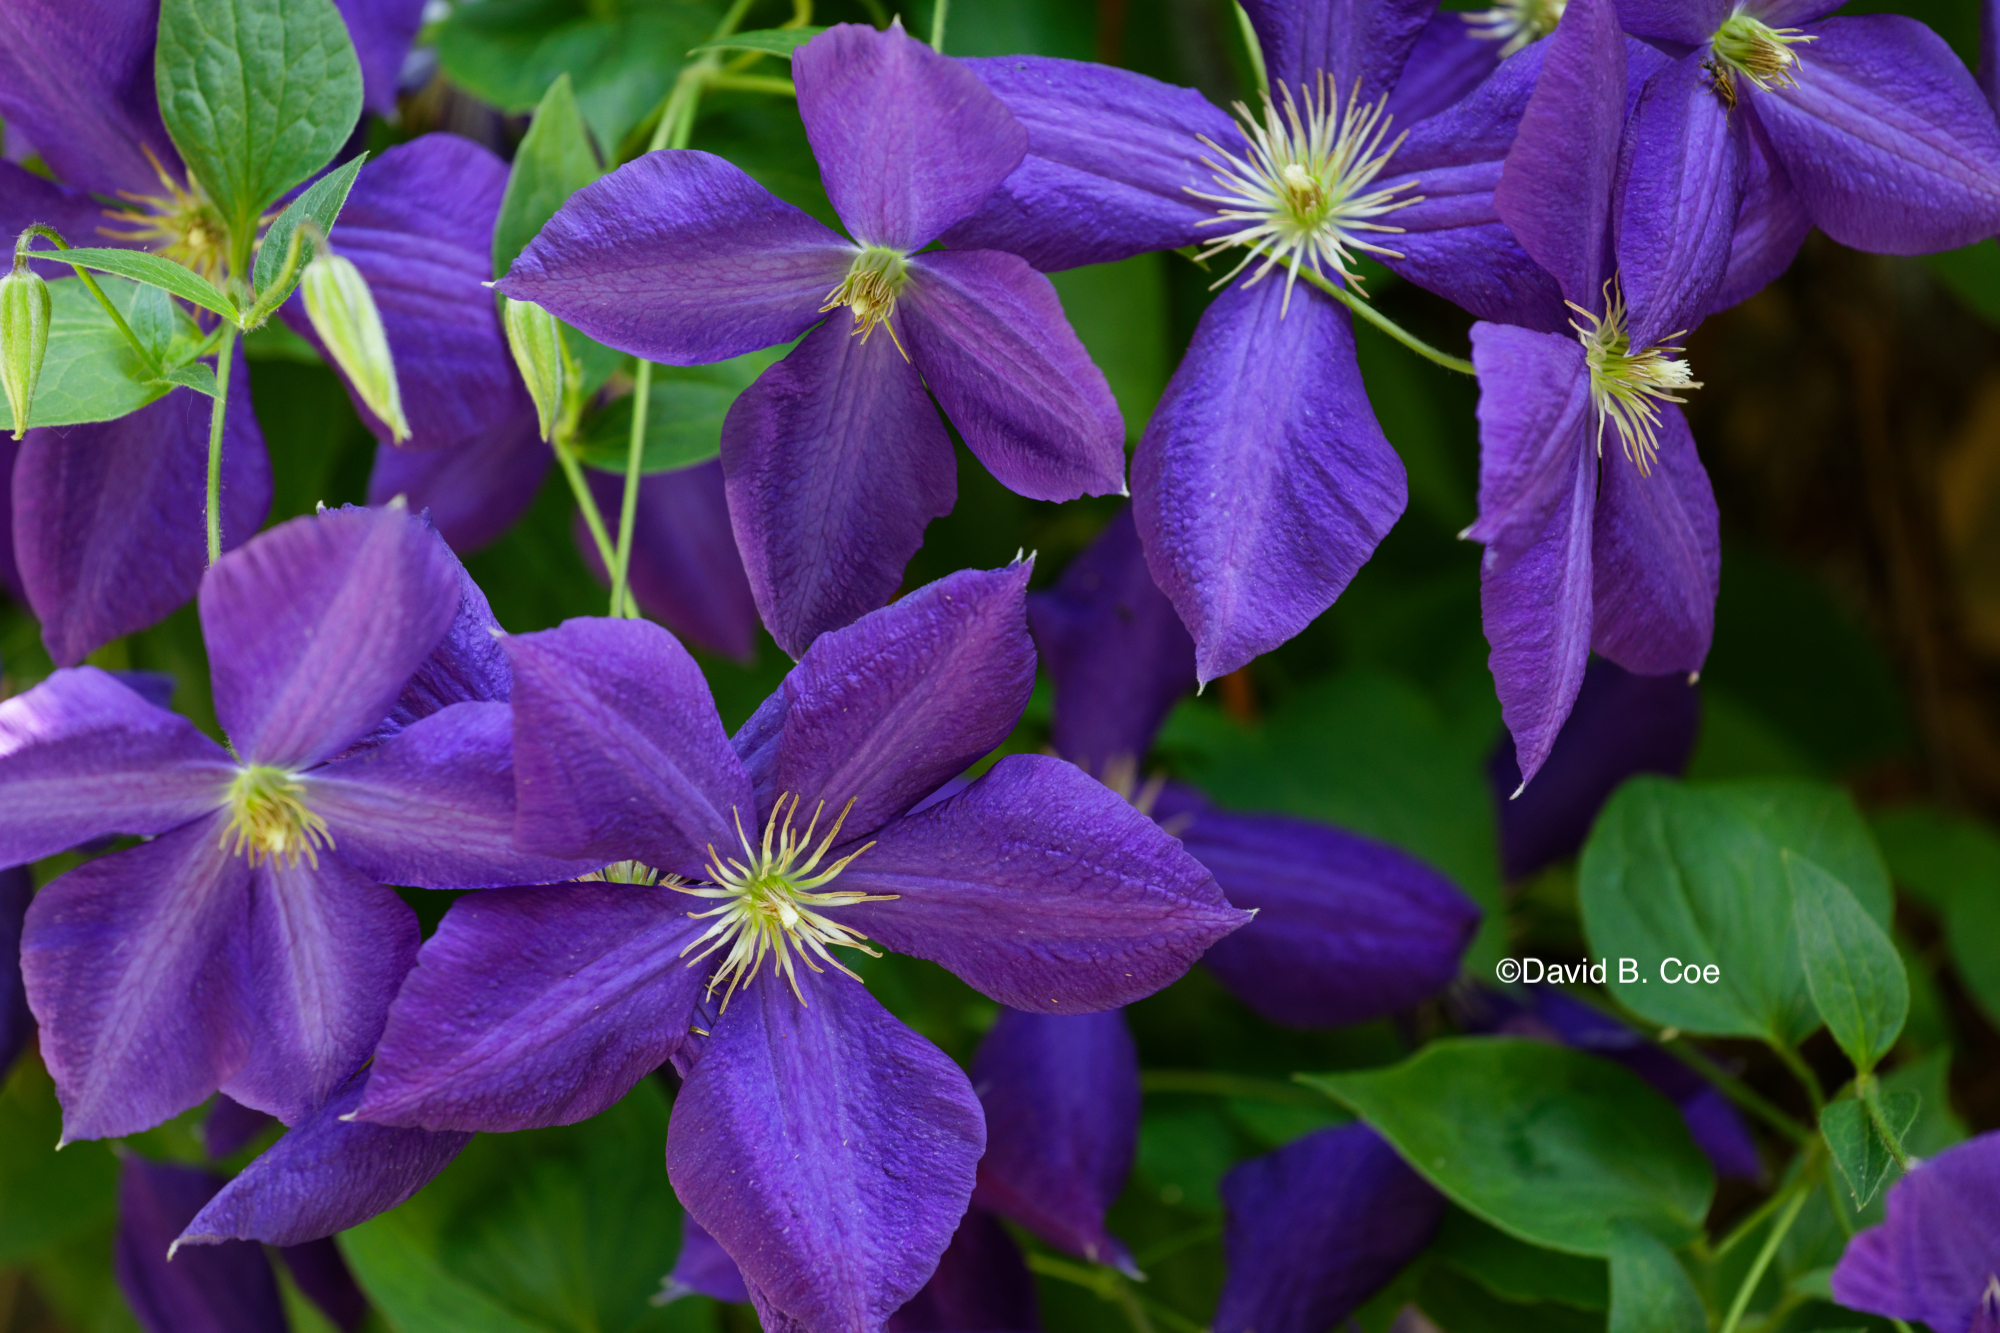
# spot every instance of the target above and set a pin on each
(1115, 649)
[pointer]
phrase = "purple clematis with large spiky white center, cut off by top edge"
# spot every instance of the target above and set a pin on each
(1263, 481)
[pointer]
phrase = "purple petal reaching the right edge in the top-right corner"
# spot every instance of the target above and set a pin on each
(1887, 139)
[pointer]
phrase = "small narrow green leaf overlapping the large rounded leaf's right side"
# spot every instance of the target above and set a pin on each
(1853, 970)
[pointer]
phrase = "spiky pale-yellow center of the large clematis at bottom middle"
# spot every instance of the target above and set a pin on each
(773, 904)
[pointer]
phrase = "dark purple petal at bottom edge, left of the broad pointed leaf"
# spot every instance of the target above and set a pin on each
(1319, 1228)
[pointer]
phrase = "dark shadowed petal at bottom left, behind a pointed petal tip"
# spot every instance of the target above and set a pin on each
(223, 1290)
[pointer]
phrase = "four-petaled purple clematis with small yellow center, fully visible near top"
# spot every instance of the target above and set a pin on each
(835, 457)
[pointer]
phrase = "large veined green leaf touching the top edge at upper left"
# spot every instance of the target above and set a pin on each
(257, 95)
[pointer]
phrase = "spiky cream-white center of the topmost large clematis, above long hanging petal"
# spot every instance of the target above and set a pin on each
(1301, 193)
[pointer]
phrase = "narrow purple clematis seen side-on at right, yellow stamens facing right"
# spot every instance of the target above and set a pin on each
(1595, 509)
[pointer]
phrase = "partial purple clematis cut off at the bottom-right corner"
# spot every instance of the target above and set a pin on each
(1937, 1258)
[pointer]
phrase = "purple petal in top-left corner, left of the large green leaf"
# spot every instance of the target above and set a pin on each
(77, 81)
